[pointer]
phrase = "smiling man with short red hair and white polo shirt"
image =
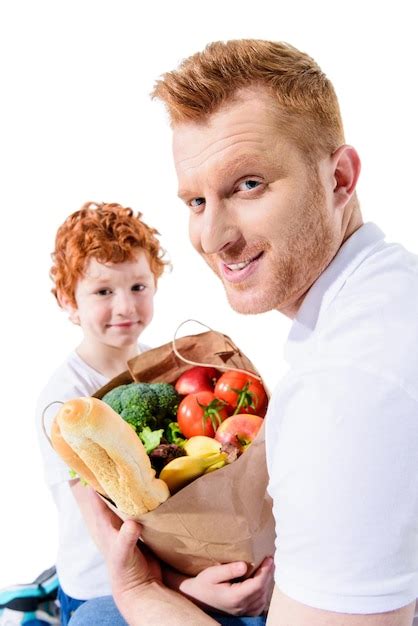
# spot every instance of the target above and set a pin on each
(263, 166)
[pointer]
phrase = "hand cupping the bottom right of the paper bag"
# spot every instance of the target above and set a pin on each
(213, 588)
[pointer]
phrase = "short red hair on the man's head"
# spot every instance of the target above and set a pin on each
(304, 98)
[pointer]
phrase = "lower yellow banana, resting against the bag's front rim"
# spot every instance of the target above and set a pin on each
(181, 471)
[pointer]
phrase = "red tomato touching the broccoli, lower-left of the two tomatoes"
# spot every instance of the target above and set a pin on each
(200, 414)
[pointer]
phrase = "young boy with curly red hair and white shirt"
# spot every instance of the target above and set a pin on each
(106, 265)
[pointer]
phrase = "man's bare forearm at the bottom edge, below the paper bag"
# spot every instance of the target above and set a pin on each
(156, 604)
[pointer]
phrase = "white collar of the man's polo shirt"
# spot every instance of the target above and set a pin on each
(323, 291)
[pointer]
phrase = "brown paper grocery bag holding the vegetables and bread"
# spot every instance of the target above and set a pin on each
(225, 515)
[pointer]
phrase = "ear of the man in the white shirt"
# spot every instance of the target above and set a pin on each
(346, 167)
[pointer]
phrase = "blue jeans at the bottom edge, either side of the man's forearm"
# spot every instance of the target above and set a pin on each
(103, 612)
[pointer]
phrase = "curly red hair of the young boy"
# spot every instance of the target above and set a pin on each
(110, 233)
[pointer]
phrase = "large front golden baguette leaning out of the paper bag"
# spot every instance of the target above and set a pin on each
(113, 453)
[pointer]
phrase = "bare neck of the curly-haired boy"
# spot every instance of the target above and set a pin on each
(107, 360)
